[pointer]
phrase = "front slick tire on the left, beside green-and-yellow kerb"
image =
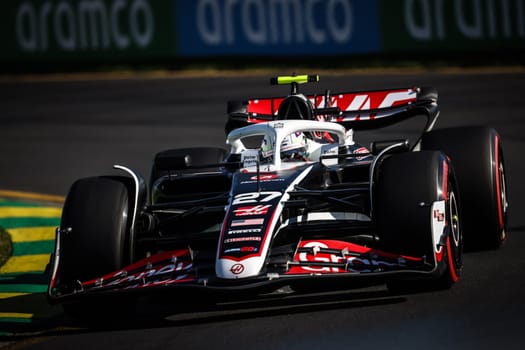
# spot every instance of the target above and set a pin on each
(96, 235)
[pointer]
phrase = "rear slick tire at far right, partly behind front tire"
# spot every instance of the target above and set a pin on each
(477, 155)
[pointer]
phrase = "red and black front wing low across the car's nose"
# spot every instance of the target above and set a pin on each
(313, 259)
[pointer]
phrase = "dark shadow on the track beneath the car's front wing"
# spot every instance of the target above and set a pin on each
(180, 310)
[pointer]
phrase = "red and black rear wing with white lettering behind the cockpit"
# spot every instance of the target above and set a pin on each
(356, 110)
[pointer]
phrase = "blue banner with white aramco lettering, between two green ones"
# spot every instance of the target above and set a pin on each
(276, 27)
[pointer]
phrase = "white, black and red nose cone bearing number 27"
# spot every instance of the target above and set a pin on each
(251, 221)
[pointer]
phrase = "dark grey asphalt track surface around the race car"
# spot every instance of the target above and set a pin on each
(55, 132)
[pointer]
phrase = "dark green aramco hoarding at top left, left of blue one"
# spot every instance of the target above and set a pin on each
(86, 29)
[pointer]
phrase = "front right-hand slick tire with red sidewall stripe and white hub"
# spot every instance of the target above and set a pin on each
(407, 189)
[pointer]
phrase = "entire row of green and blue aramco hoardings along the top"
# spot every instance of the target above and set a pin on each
(144, 30)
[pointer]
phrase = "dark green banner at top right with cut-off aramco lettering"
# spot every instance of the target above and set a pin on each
(445, 25)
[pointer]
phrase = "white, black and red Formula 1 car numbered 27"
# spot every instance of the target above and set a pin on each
(295, 201)
